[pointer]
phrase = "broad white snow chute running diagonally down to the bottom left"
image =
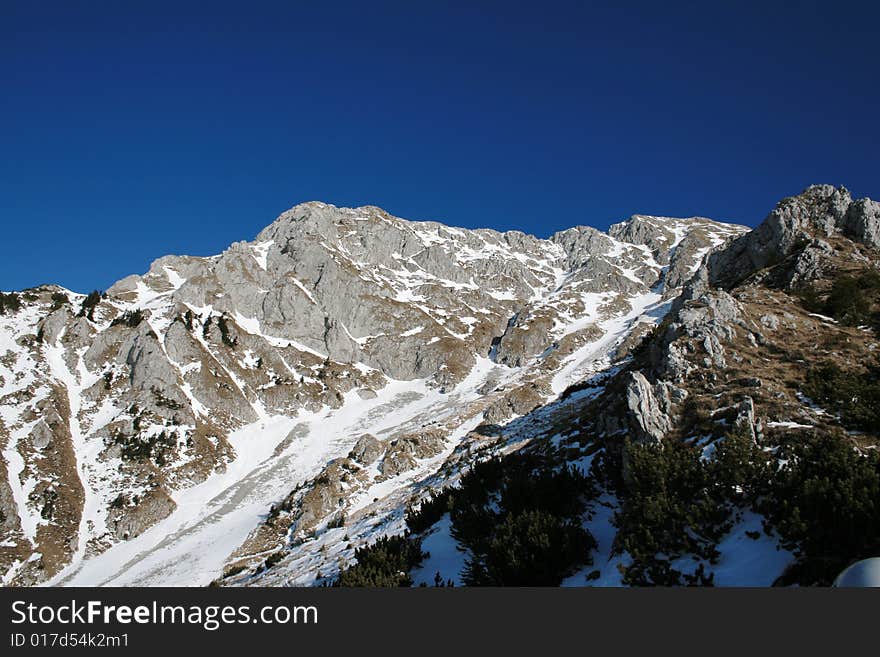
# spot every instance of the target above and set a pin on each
(189, 547)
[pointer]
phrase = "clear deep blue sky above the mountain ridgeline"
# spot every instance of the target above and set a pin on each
(130, 130)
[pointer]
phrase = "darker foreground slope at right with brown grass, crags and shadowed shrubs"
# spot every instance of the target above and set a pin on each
(736, 446)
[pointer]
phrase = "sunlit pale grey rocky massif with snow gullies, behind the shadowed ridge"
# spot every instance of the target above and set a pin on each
(112, 406)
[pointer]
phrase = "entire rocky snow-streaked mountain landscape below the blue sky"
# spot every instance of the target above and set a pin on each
(263, 416)
